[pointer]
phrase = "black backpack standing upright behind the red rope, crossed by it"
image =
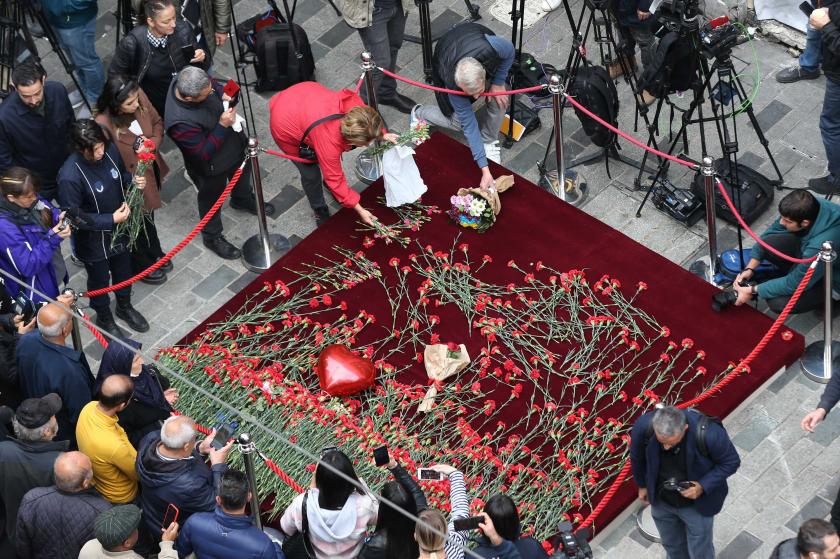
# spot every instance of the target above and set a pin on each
(593, 88)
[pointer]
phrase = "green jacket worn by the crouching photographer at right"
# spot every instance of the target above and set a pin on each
(825, 228)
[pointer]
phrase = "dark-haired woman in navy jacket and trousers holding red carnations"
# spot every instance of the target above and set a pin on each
(94, 180)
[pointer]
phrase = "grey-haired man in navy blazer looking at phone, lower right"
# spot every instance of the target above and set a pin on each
(680, 461)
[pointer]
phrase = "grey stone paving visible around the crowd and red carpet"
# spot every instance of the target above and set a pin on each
(785, 477)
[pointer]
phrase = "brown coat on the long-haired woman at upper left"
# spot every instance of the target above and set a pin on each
(152, 126)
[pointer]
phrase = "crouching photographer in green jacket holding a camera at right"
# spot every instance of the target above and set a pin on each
(805, 223)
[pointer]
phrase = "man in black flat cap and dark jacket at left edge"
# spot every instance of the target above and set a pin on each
(26, 461)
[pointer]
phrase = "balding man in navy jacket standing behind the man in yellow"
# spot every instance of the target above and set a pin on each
(46, 364)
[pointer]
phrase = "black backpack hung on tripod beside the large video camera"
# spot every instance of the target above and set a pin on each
(673, 67)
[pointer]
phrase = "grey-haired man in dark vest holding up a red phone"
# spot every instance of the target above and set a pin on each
(213, 145)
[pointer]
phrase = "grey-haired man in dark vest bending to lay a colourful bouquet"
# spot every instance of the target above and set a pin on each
(464, 59)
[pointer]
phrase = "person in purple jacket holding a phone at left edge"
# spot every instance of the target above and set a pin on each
(31, 233)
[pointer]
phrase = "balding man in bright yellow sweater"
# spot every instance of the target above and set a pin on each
(101, 437)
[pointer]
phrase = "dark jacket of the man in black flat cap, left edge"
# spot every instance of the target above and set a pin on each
(24, 466)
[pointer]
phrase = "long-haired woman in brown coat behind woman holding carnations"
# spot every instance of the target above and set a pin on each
(128, 117)
